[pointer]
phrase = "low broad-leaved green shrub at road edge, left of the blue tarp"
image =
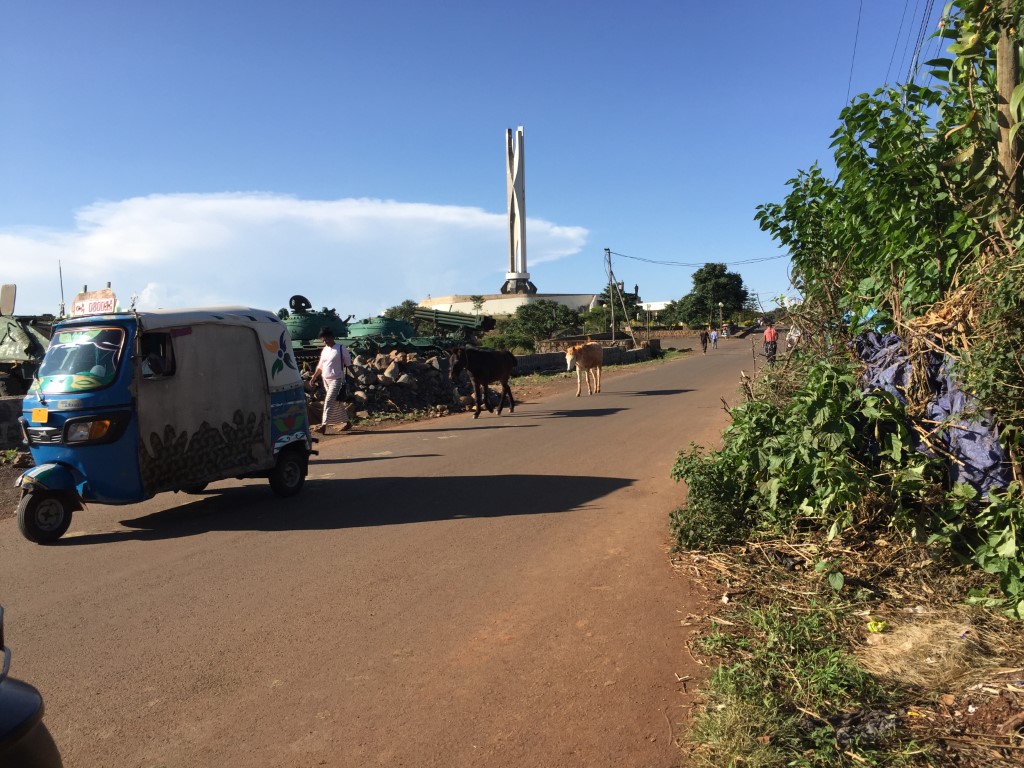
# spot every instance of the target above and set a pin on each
(820, 457)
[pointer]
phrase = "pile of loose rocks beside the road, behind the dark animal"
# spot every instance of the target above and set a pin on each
(404, 383)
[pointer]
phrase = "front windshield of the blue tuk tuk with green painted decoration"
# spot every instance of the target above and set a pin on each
(81, 360)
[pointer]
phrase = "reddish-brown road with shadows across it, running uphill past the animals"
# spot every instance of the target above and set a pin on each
(449, 593)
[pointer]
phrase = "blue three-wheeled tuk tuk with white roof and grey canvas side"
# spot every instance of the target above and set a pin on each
(129, 405)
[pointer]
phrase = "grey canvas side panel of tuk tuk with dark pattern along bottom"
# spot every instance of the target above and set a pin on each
(210, 419)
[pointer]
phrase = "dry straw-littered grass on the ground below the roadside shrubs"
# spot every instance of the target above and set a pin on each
(954, 673)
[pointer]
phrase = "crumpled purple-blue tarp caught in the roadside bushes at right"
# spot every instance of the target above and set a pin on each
(968, 435)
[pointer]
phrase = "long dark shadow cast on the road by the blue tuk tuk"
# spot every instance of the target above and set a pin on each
(336, 504)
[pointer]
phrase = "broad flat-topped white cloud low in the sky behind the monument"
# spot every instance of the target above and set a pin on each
(360, 257)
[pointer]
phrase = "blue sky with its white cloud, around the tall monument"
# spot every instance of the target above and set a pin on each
(197, 153)
